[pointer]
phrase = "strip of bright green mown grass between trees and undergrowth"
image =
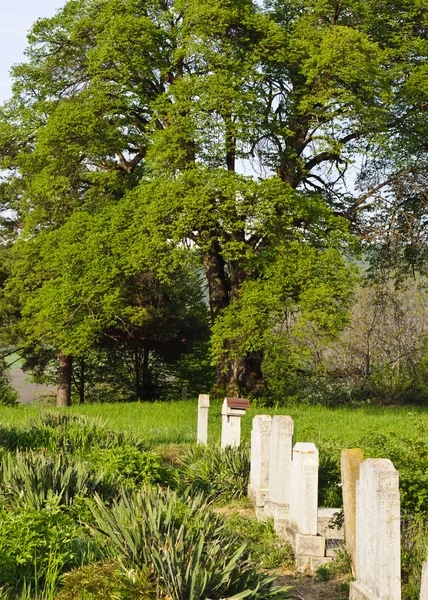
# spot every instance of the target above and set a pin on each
(175, 422)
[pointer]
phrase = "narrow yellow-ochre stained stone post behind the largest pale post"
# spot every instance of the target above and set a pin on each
(350, 462)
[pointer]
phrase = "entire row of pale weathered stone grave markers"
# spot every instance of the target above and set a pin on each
(284, 485)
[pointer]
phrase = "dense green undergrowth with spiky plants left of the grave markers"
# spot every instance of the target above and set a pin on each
(90, 513)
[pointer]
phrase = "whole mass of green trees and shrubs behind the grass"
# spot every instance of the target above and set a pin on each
(222, 195)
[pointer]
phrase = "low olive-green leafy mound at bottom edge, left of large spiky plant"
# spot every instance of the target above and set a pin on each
(102, 580)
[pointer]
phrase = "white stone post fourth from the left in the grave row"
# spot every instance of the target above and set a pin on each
(277, 504)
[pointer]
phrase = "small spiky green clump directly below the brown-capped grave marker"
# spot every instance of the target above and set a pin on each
(219, 473)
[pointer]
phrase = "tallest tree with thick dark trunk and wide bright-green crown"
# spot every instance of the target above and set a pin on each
(155, 105)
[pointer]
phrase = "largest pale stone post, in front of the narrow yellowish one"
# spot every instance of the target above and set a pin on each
(378, 533)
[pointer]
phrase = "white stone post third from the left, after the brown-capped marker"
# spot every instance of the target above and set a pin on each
(259, 469)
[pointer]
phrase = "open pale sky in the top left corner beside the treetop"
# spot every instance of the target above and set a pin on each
(16, 19)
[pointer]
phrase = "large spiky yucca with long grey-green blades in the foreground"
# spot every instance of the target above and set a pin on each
(184, 544)
